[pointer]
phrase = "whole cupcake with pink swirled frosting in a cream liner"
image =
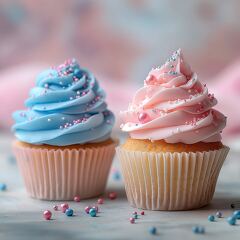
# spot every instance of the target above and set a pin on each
(174, 154)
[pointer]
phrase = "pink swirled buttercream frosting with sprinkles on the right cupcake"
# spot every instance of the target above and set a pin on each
(174, 106)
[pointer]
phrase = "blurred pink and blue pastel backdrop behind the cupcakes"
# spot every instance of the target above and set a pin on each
(120, 41)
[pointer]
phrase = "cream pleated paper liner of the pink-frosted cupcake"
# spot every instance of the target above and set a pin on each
(170, 181)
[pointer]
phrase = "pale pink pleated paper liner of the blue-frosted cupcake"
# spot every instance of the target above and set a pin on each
(64, 174)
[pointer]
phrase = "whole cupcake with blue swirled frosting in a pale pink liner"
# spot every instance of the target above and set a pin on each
(63, 146)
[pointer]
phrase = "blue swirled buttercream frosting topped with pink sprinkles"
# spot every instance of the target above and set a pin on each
(67, 106)
